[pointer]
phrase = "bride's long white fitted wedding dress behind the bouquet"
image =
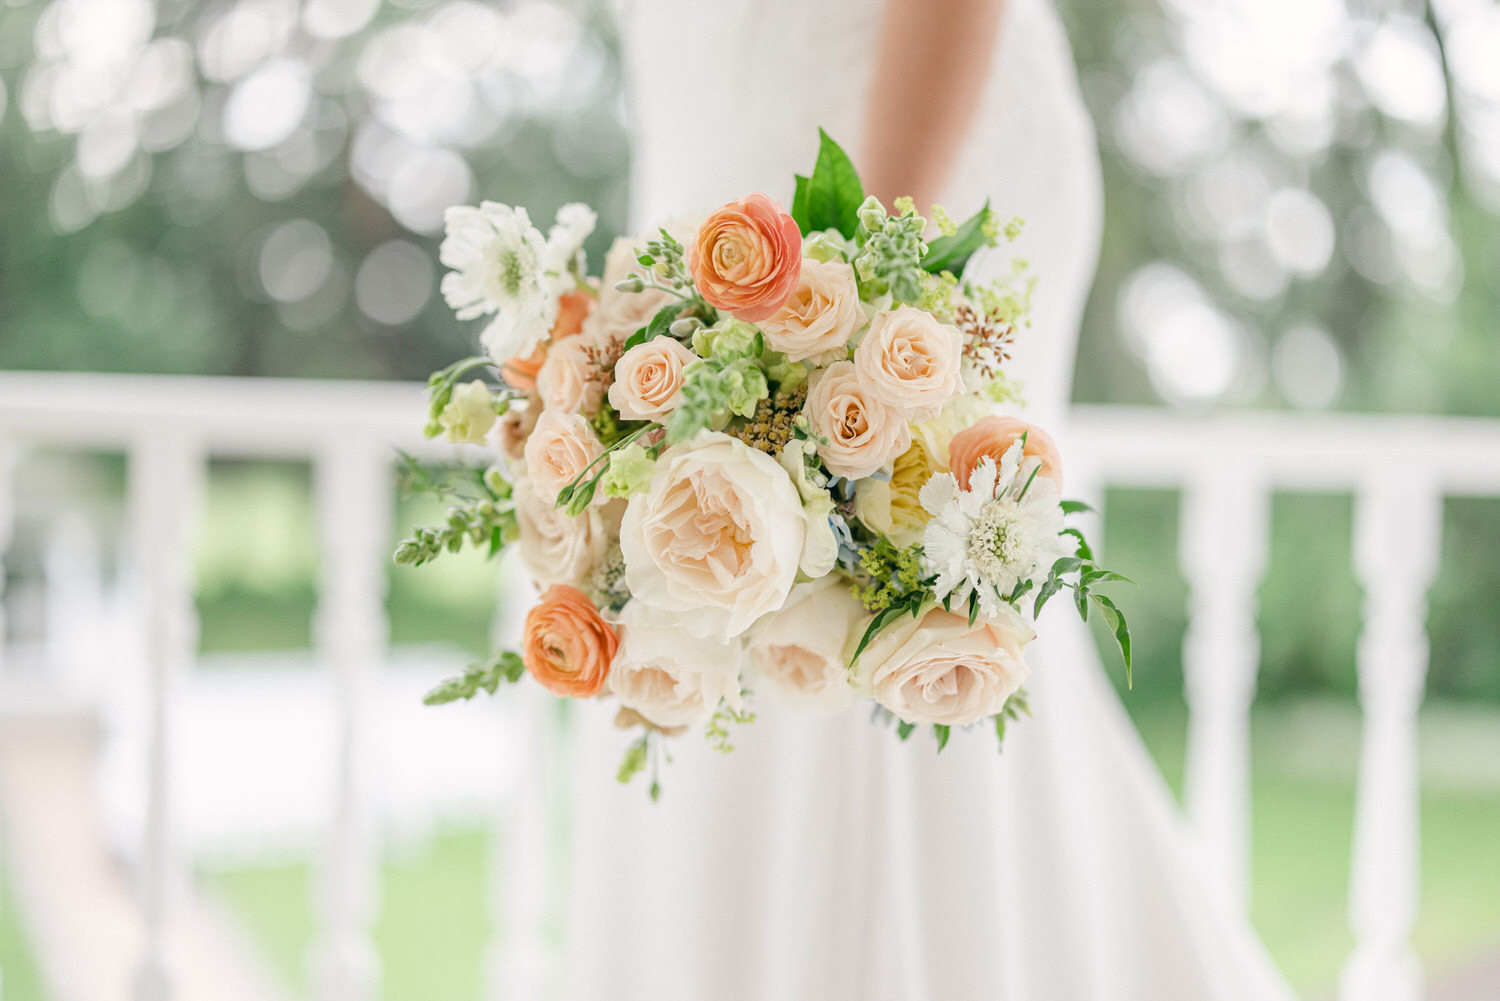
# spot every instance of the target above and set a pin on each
(823, 859)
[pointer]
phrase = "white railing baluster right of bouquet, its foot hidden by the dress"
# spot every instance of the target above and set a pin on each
(1223, 552)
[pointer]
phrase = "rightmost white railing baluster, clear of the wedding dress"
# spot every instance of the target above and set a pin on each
(1399, 525)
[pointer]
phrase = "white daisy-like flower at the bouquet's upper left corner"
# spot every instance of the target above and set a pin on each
(503, 266)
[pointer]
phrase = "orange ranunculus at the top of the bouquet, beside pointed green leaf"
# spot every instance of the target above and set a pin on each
(746, 257)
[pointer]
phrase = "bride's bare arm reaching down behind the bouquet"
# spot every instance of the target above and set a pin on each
(934, 62)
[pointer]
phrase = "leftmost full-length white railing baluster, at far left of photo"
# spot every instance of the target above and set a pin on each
(166, 478)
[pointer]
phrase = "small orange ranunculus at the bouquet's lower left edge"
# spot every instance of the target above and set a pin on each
(568, 646)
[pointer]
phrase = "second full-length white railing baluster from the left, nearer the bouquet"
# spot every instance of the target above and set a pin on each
(355, 531)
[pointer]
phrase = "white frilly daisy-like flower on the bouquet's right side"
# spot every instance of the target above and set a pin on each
(995, 535)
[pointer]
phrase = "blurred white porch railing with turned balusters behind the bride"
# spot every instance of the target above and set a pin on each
(1397, 467)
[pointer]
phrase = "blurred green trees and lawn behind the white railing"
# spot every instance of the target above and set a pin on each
(1303, 215)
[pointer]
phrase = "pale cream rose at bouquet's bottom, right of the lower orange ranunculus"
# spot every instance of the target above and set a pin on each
(670, 676)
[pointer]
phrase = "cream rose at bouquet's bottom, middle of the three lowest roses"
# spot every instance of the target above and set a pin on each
(799, 654)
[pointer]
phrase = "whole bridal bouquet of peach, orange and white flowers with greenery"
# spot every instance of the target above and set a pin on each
(758, 457)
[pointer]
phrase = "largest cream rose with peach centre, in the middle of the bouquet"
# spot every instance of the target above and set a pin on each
(719, 535)
